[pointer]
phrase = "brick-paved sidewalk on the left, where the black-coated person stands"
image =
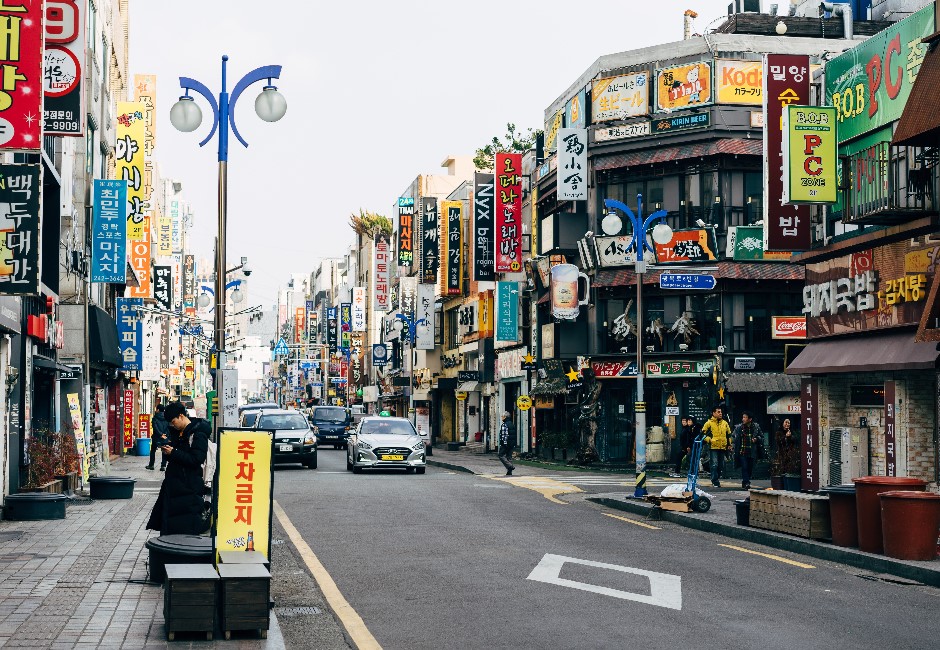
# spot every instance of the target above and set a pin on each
(82, 581)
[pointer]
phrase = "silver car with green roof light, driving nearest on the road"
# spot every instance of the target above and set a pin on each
(386, 442)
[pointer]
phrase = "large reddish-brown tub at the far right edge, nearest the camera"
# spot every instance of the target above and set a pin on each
(911, 522)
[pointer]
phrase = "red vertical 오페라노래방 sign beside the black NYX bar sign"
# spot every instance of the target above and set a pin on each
(508, 212)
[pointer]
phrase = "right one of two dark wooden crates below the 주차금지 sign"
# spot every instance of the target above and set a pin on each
(246, 592)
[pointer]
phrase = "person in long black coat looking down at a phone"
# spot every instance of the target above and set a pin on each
(180, 507)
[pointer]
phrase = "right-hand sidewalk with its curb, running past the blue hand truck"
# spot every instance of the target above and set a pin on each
(720, 519)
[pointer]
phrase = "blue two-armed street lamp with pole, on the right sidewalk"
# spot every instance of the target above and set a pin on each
(662, 234)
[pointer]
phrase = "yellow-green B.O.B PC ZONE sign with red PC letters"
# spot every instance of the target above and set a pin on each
(810, 154)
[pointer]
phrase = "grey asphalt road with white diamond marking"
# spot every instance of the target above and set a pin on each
(457, 560)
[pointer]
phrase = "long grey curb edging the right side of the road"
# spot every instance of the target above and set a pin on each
(859, 559)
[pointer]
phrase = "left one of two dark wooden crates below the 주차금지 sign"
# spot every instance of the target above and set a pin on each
(190, 599)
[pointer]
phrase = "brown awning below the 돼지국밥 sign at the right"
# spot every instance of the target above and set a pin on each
(895, 351)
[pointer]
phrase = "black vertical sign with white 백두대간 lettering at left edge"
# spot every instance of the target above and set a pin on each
(20, 227)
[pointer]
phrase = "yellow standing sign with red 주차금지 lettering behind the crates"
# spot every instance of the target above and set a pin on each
(243, 517)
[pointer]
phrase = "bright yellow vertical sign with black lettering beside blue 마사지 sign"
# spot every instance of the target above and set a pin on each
(129, 151)
